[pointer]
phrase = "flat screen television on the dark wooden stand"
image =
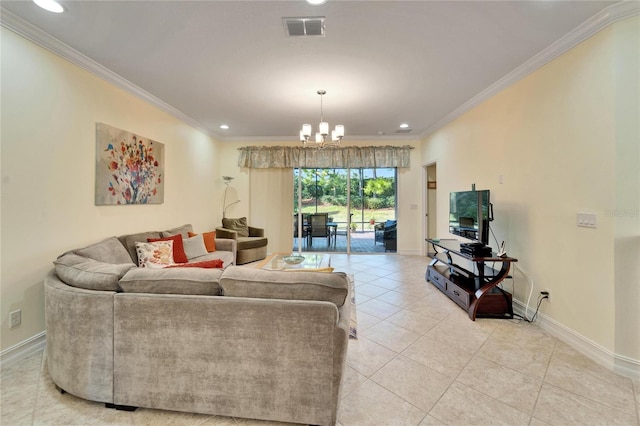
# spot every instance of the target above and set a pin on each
(469, 215)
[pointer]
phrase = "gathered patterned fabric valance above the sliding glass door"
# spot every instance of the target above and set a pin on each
(266, 157)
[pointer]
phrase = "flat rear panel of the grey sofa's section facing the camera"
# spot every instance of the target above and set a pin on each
(245, 338)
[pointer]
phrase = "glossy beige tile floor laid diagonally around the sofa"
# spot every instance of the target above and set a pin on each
(419, 360)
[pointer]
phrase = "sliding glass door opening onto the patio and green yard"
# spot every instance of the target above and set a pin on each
(359, 204)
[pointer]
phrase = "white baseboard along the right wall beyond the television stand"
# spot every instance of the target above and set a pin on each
(625, 366)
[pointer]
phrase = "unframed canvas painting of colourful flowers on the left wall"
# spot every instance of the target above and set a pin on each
(129, 168)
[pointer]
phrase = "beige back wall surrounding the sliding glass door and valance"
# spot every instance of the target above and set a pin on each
(281, 204)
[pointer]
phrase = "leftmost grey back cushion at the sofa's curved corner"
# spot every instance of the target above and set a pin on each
(82, 272)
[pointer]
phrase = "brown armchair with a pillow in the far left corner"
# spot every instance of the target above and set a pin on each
(250, 241)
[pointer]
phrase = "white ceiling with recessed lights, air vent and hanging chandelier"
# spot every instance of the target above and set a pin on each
(382, 63)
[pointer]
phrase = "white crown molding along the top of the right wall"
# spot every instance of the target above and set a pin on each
(590, 27)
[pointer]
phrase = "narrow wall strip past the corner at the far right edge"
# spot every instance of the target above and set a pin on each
(626, 214)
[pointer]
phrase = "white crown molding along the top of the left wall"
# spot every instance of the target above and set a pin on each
(34, 34)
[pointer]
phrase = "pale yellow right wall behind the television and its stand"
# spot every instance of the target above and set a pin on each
(556, 137)
